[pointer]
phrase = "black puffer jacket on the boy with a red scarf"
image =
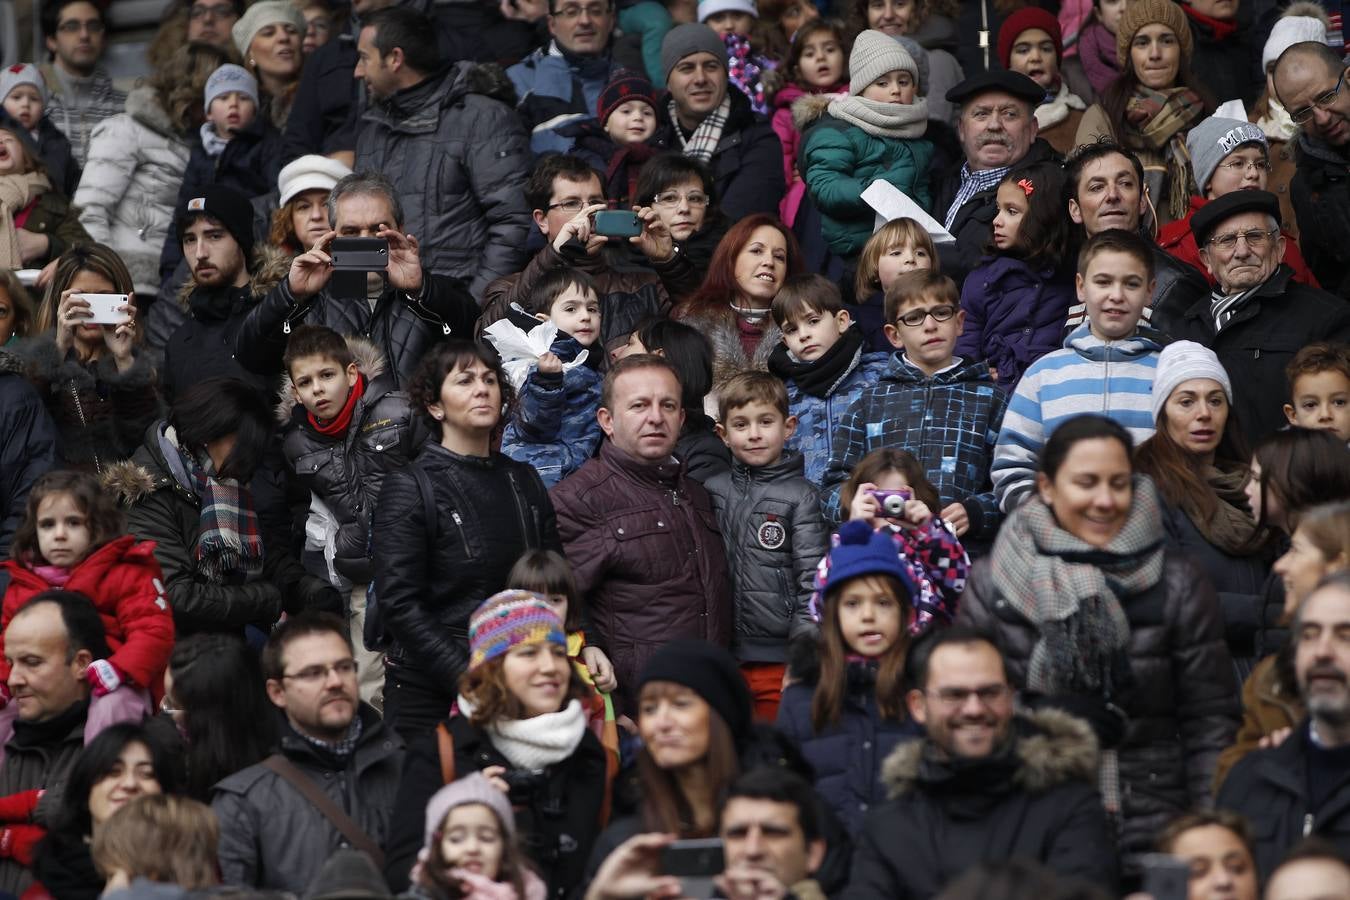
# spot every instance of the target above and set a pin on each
(348, 473)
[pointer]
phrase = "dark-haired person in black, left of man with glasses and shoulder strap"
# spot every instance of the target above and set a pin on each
(214, 679)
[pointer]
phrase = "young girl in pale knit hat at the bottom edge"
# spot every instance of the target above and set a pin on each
(470, 848)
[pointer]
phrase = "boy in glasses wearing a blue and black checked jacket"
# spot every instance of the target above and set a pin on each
(939, 407)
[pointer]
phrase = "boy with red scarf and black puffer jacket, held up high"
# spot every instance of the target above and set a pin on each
(348, 430)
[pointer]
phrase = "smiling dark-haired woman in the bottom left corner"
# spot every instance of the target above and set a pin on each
(124, 763)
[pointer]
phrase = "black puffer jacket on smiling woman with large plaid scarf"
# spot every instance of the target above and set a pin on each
(1183, 710)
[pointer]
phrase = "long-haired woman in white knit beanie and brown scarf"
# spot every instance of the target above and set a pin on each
(1197, 461)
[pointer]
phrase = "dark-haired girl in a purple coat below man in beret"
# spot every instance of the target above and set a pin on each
(1017, 302)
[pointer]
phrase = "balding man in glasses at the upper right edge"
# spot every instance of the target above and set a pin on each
(1309, 82)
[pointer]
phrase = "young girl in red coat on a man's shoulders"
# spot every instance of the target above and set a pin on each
(74, 539)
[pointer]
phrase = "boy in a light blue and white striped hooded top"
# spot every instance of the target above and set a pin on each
(1105, 368)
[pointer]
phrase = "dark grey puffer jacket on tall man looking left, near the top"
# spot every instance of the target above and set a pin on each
(458, 154)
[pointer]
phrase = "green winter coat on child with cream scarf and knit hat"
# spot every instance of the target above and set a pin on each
(839, 161)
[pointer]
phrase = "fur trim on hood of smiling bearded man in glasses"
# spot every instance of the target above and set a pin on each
(1052, 748)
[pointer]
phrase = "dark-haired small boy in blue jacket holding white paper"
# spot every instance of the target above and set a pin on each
(554, 426)
